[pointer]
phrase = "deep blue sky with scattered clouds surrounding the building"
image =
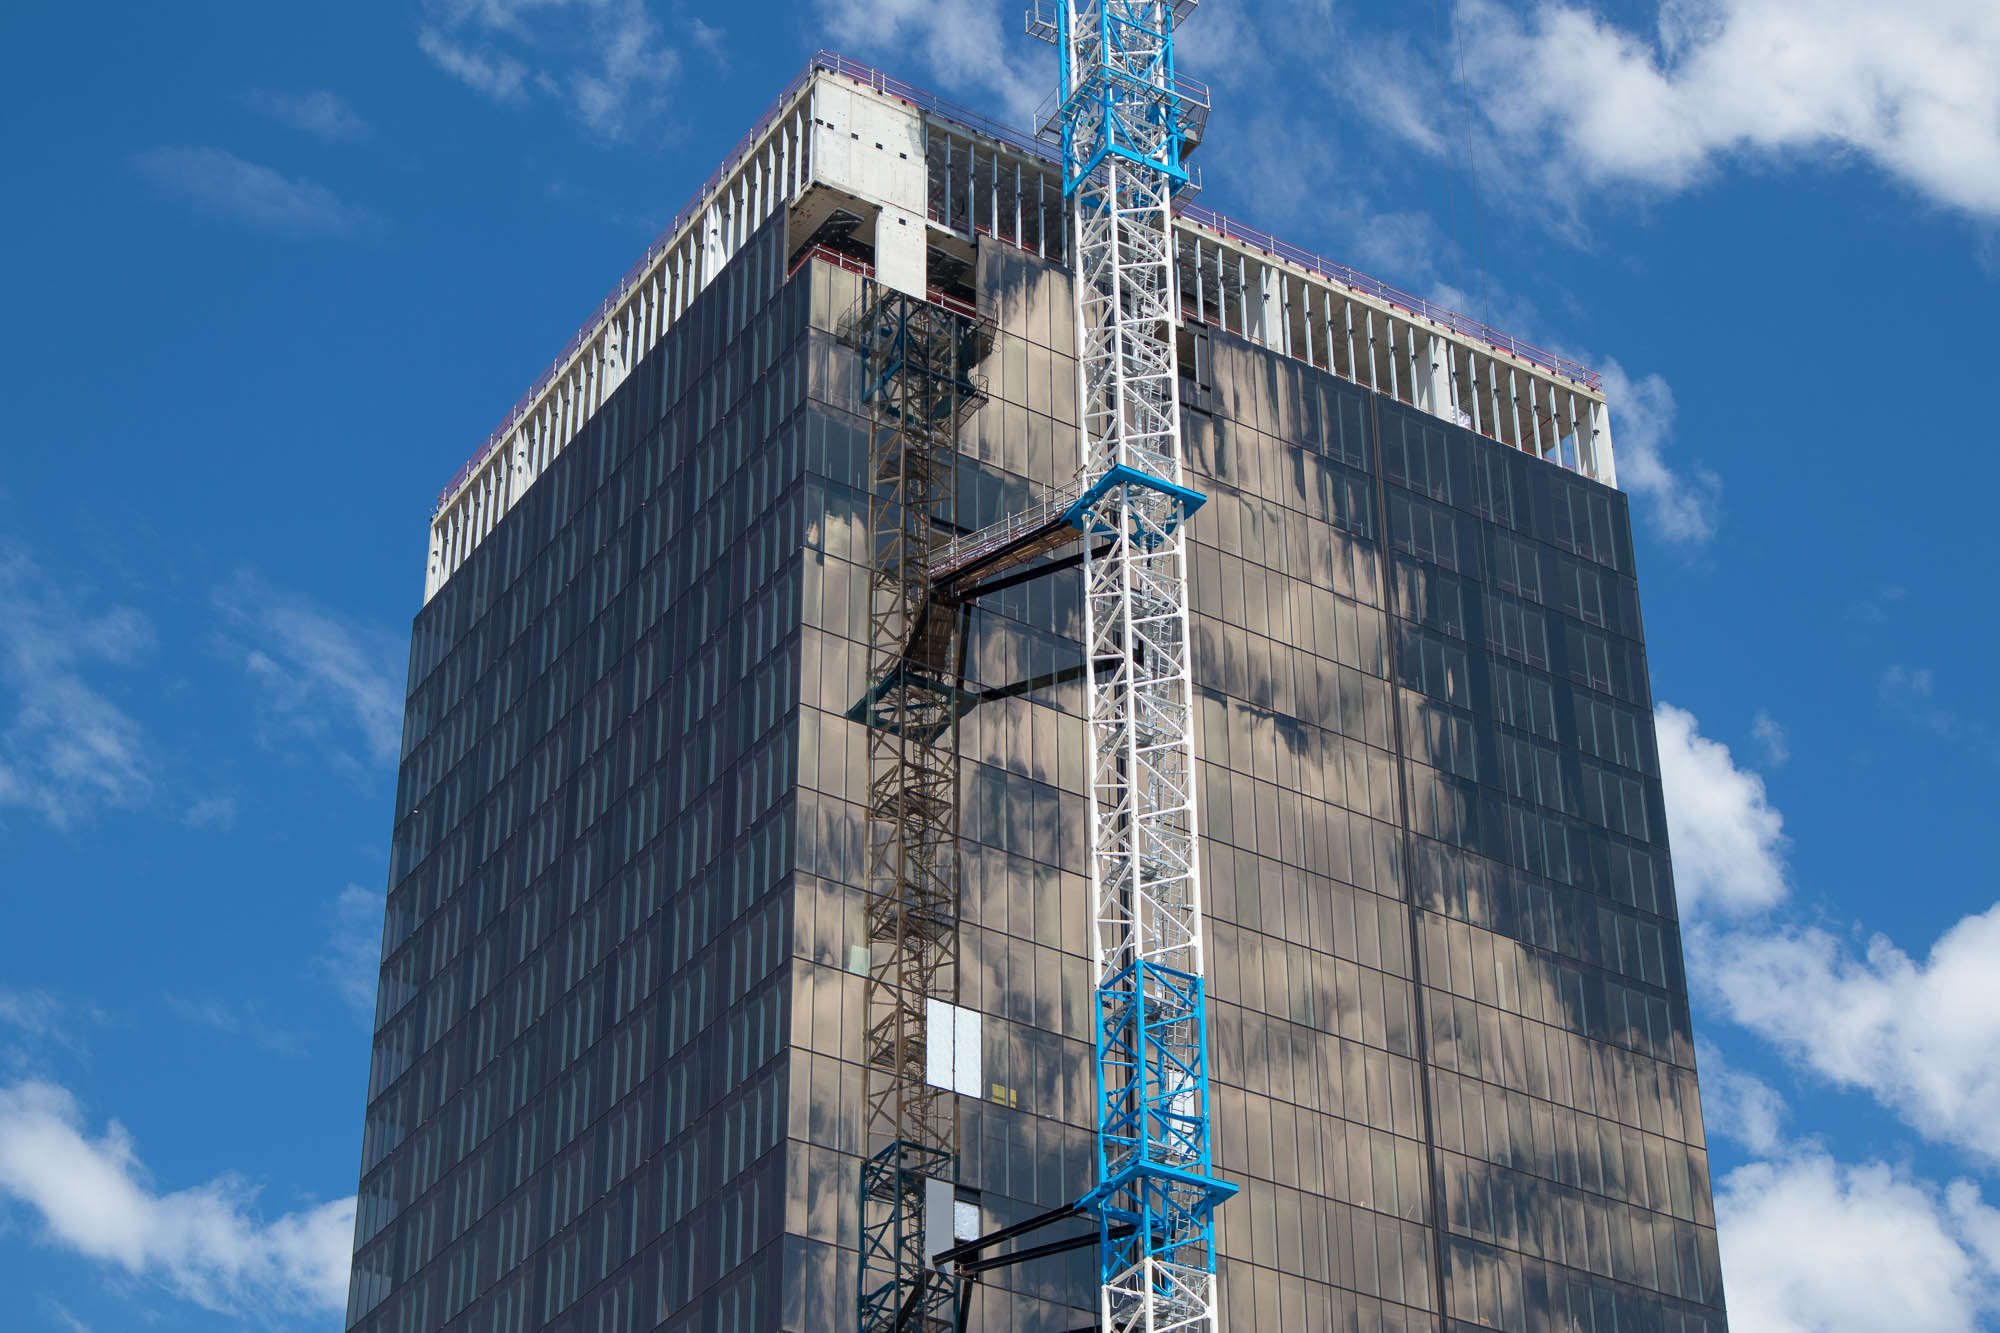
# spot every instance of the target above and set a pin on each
(273, 273)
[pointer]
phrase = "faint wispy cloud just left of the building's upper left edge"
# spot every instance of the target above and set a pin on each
(317, 676)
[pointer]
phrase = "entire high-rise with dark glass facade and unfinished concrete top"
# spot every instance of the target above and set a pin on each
(751, 956)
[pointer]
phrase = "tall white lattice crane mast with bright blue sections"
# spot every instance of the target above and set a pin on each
(1123, 121)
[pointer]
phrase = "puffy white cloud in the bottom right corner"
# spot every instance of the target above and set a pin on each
(1815, 1246)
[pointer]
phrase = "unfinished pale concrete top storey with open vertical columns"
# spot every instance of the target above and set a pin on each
(889, 179)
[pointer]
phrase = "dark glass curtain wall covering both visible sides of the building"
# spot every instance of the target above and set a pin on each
(617, 1072)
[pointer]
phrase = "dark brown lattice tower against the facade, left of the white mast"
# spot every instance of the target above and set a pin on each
(921, 385)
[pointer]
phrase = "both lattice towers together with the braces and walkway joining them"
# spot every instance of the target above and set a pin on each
(1125, 123)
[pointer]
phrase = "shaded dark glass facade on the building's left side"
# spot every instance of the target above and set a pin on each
(579, 1086)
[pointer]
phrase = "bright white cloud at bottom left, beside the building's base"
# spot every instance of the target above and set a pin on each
(93, 1196)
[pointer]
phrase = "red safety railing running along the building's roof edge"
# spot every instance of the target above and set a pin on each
(875, 79)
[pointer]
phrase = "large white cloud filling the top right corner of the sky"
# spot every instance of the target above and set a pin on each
(1575, 101)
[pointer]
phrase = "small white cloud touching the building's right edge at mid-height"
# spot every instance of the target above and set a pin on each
(1729, 842)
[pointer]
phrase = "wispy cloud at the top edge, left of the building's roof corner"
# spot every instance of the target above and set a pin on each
(603, 57)
